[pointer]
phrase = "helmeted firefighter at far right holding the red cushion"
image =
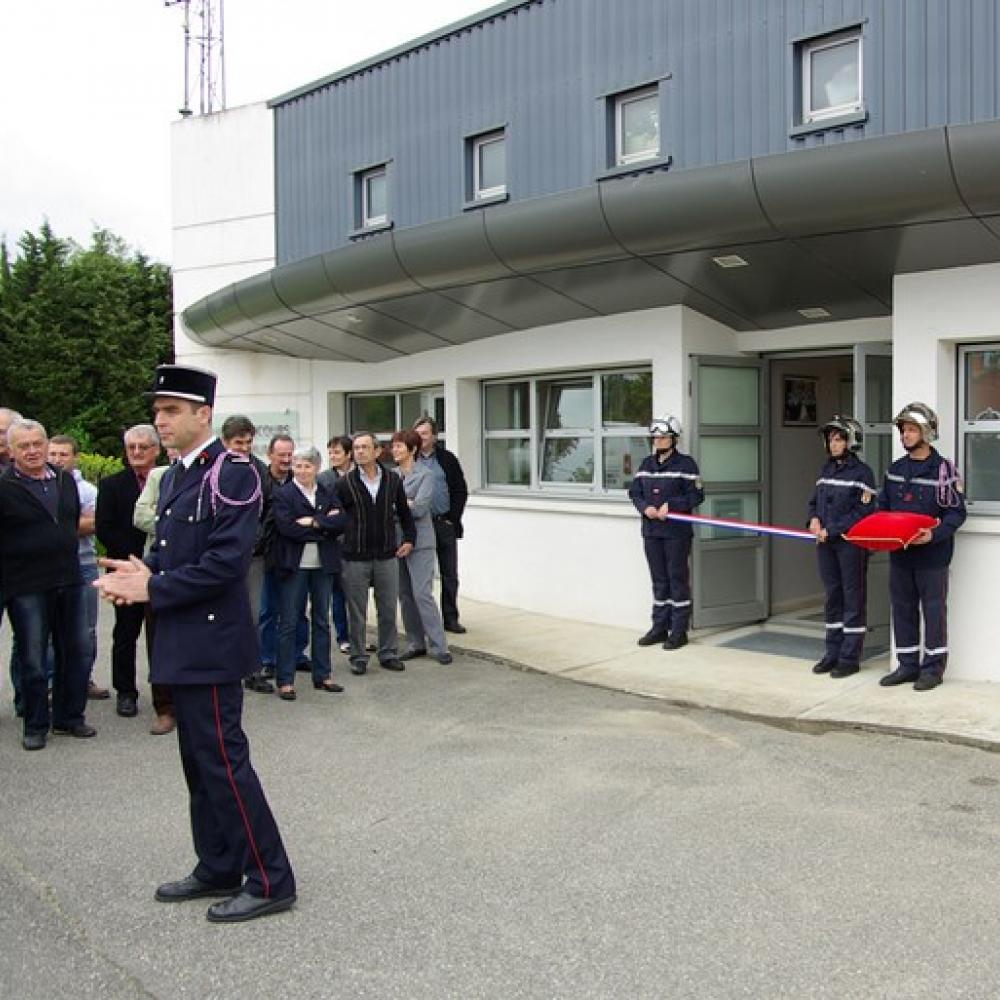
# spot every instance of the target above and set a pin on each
(921, 482)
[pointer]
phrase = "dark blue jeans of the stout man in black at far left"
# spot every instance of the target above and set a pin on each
(58, 615)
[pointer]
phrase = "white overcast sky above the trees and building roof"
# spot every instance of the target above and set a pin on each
(90, 88)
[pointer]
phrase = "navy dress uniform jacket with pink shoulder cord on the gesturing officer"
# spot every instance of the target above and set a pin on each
(199, 559)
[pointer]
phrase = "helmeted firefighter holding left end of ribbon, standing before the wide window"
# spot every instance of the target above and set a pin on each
(667, 481)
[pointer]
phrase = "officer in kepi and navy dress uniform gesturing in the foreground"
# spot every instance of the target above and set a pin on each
(195, 580)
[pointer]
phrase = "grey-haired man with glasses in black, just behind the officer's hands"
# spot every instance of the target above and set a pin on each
(116, 497)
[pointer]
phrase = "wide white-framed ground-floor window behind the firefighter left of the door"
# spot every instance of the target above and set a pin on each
(575, 433)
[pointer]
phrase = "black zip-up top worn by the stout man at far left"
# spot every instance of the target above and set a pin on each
(38, 552)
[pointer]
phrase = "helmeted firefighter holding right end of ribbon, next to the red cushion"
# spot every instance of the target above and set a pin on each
(845, 493)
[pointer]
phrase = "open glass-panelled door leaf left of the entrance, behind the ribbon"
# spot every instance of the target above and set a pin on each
(728, 442)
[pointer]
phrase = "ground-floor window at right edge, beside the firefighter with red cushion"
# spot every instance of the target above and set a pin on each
(979, 429)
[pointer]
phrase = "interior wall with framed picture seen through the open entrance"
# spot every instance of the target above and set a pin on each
(804, 393)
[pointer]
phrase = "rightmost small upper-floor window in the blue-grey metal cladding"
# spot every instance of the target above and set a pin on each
(832, 83)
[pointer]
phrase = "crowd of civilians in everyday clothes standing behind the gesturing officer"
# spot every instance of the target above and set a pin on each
(382, 517)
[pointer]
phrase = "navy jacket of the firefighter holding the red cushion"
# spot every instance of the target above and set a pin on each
(931, 486)
